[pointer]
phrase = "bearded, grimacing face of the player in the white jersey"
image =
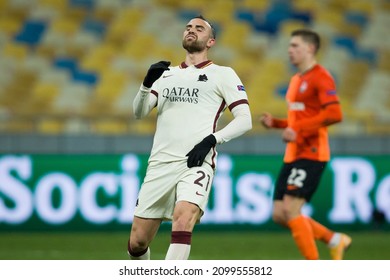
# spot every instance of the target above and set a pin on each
(197, 36)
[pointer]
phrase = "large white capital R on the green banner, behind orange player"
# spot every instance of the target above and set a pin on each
(354, 178)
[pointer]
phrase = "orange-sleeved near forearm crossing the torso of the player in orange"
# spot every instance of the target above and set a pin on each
(330, 115)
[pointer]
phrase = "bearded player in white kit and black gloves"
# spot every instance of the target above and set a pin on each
(189, 98)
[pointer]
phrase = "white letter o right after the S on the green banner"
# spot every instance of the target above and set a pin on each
(44, 202)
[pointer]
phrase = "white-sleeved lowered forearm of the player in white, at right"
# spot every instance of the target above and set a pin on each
(241, 123)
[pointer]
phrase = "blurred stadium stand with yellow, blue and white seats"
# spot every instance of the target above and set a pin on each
(73, 66)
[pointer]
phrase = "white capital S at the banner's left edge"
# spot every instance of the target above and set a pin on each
(13, 189)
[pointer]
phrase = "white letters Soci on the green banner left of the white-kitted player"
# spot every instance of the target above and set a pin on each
(21, 198)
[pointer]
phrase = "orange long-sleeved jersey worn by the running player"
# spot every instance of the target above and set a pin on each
(312, 105)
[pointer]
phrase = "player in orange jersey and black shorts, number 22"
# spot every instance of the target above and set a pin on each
(313, 105)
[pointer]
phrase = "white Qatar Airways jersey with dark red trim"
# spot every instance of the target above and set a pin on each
(190, 101)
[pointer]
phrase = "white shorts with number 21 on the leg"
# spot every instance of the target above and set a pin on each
(167, 183)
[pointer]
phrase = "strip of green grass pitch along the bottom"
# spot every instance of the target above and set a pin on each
(206, 245)
